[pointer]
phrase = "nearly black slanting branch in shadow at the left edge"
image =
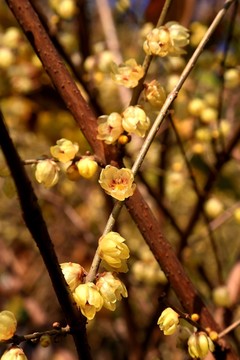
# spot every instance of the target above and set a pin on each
(34, 221)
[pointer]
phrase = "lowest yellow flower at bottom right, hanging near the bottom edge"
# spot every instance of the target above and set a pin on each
(199, 344)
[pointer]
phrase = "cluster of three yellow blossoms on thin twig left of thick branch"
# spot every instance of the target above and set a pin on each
(64, 158)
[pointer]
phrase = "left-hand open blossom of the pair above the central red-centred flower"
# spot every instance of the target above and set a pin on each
(109, 127)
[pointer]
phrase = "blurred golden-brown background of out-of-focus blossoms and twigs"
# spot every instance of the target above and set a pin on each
(90, 35)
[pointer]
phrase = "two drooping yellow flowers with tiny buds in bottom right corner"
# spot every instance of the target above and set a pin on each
(199, 343)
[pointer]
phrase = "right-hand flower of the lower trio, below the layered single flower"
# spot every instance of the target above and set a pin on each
(112, 290)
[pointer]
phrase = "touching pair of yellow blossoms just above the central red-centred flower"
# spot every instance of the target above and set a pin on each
(133, 120)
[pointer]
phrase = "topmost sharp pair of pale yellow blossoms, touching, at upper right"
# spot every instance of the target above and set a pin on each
(166, 40)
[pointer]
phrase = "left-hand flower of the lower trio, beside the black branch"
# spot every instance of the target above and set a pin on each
(73, 273)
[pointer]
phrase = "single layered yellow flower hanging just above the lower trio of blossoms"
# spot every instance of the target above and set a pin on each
(113, 252)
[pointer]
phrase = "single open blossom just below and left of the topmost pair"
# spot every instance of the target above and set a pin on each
(127, 74)
